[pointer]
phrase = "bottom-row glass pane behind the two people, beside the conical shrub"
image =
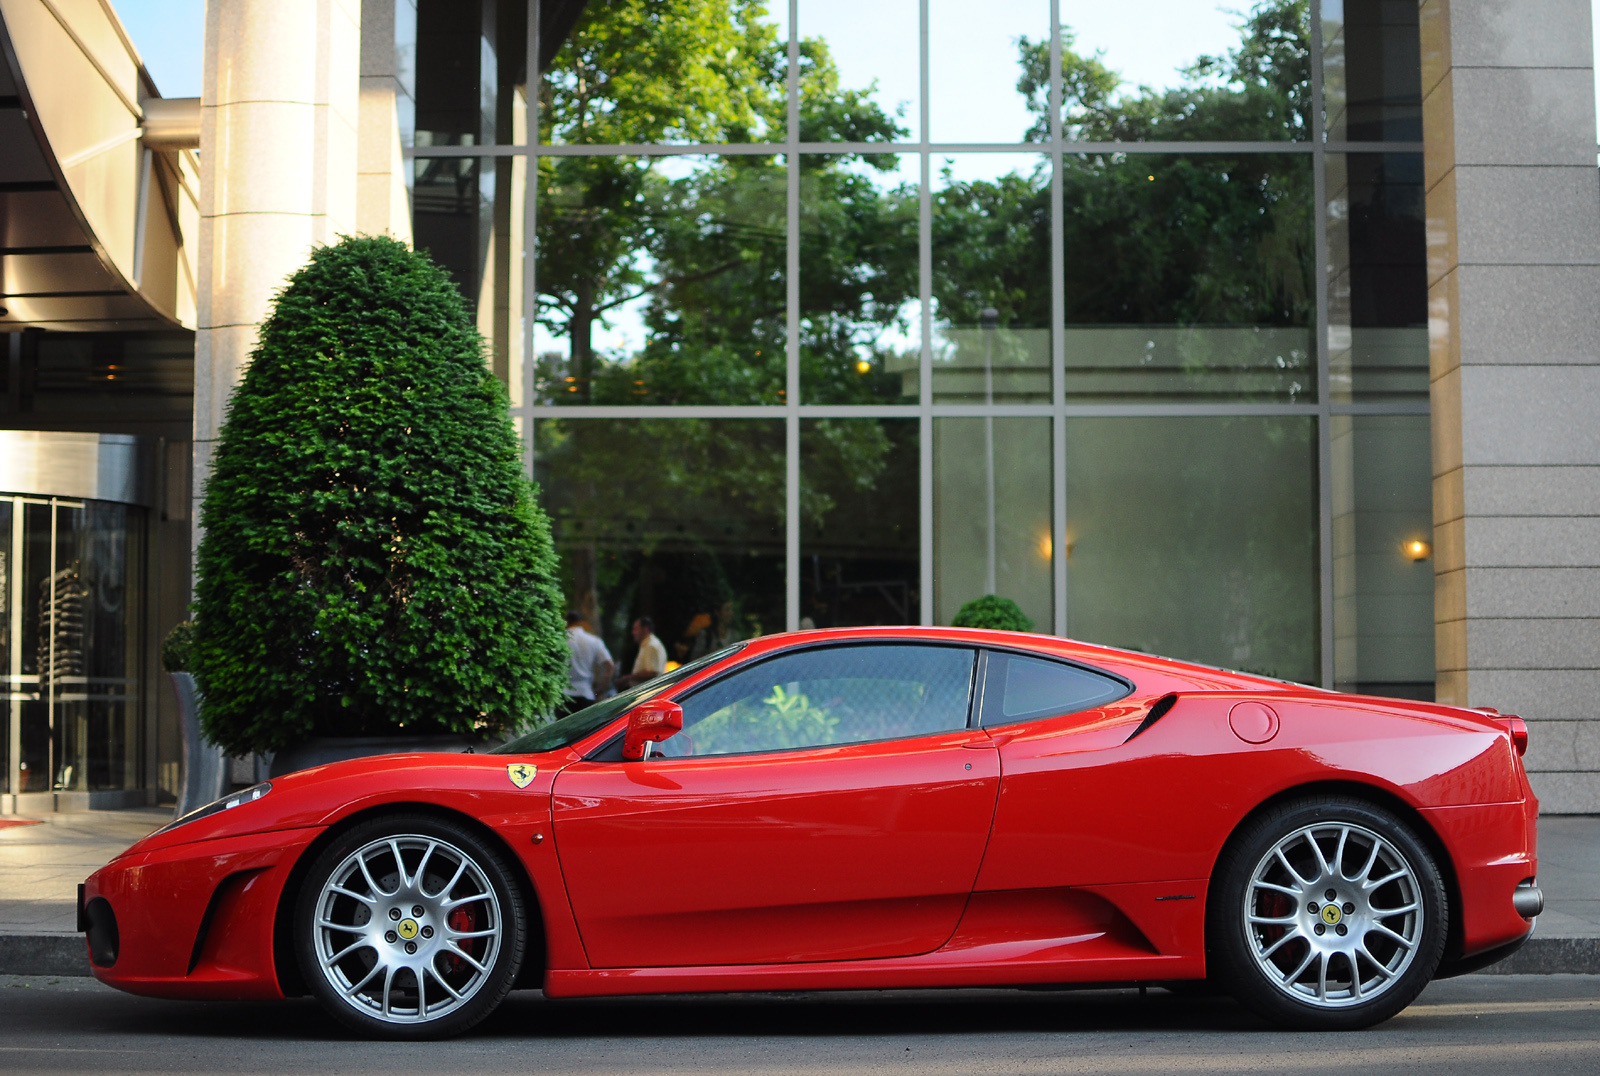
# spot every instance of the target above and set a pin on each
(670, 520)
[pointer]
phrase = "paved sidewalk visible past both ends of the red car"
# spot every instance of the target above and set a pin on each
(41, 869)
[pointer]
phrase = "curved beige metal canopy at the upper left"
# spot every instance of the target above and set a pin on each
(94, 217)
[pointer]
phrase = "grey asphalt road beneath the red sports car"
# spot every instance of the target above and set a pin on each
(1481, 1024)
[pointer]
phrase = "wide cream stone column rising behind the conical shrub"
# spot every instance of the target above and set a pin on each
(278, 174)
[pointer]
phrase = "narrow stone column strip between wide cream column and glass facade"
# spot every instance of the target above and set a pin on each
(388, 49)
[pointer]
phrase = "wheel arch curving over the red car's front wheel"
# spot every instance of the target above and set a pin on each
(287, 966)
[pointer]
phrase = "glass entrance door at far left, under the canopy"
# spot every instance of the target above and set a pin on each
(71, 644)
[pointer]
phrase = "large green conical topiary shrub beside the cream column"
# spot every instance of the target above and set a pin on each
(374, 558)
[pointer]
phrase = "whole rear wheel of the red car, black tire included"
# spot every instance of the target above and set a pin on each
(1338, 965)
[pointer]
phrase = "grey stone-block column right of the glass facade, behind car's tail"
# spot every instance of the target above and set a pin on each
(1514, 334)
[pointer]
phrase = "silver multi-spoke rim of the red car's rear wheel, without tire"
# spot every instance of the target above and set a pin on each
(1334, 915)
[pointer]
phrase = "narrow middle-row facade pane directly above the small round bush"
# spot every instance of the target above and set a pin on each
(991, 279)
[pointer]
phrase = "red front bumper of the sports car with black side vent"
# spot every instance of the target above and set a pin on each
(193, 920)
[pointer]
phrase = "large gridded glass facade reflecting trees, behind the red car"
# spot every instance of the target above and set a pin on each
(849, 315)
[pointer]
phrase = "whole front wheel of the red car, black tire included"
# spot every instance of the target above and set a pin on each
(463, 946)
